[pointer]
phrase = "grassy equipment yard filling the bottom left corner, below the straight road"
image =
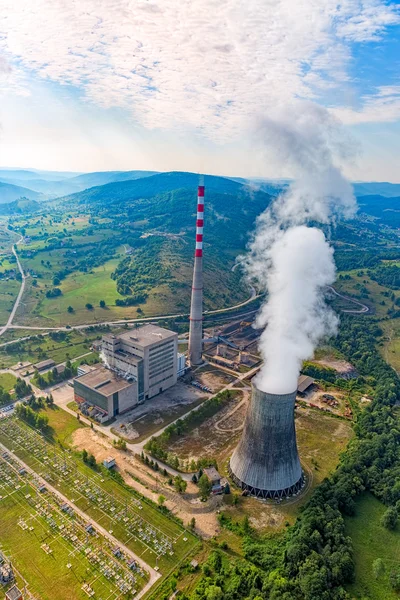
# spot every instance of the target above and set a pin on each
(59, 553)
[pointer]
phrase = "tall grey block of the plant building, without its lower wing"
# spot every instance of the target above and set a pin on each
(147, 355)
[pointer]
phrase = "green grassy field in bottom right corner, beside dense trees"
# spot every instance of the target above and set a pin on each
(372, 541)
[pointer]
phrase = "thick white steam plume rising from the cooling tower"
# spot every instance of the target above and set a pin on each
(288, 258)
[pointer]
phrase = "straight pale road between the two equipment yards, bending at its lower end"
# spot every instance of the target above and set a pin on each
(154, 575)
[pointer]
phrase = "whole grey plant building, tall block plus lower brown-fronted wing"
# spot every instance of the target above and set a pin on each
(139, 364)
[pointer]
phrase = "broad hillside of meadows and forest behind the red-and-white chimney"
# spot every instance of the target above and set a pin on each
(131, 244)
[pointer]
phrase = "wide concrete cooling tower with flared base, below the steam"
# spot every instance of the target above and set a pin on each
(266, 462)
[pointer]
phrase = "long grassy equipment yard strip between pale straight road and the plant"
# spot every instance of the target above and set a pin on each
(141, 526)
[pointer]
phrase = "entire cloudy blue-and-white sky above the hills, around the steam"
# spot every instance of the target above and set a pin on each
(185, 84)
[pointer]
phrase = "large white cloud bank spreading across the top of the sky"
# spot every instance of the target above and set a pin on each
(194, 64)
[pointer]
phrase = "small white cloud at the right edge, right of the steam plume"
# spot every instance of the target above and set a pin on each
(382, 107)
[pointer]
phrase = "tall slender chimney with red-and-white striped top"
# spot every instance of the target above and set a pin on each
(196, 307)
